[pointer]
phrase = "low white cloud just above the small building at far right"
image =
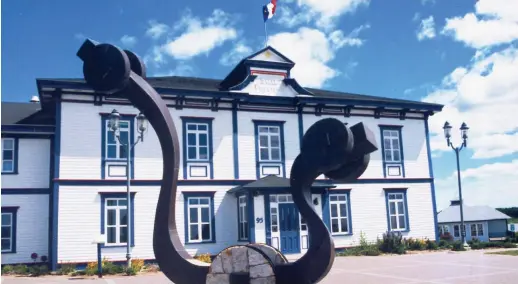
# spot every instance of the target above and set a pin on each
(491, 184)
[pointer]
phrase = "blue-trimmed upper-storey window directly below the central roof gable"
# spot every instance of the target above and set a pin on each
(269, 142)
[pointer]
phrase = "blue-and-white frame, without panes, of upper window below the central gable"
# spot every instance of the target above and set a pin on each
(260, 163)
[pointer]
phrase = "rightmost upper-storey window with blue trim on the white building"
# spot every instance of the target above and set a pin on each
(392, 151)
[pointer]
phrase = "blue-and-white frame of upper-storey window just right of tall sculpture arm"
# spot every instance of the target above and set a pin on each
(187, 120)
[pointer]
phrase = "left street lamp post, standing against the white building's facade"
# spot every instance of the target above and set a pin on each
(114, 125)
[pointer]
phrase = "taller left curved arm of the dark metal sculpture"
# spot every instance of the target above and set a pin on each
(107, 68)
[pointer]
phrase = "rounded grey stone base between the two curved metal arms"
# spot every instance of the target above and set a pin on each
(251, 264)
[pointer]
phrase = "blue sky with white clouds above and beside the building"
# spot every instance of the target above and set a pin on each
(462, 54)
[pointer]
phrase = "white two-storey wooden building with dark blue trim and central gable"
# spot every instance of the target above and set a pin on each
(239, 137)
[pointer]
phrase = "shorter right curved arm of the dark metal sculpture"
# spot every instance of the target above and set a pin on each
(339, 152)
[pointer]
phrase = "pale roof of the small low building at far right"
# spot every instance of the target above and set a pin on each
(471, 213)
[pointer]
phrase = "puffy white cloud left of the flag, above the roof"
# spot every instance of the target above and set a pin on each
(200, 37)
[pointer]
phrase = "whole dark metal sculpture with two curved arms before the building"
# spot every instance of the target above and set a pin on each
(328, 147)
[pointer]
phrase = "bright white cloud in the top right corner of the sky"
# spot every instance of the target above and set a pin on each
(494, 22)
